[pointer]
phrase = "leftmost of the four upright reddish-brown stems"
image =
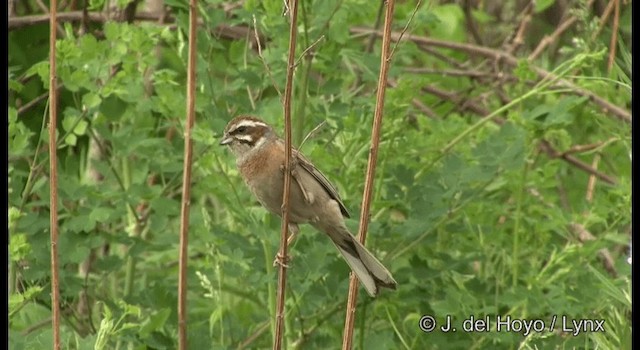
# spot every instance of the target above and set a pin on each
(53, 176)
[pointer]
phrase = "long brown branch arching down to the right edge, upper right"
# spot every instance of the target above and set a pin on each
(509, 59)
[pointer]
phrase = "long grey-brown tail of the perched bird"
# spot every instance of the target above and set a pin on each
(371, 273)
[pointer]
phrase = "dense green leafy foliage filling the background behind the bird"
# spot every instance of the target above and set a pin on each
(470, 215)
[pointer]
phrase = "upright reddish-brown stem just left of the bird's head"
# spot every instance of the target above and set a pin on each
(186, 179)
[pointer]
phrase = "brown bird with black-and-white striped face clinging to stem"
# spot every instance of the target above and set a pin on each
(260, 158)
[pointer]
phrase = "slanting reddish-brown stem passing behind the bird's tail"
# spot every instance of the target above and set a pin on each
(385, 59)
